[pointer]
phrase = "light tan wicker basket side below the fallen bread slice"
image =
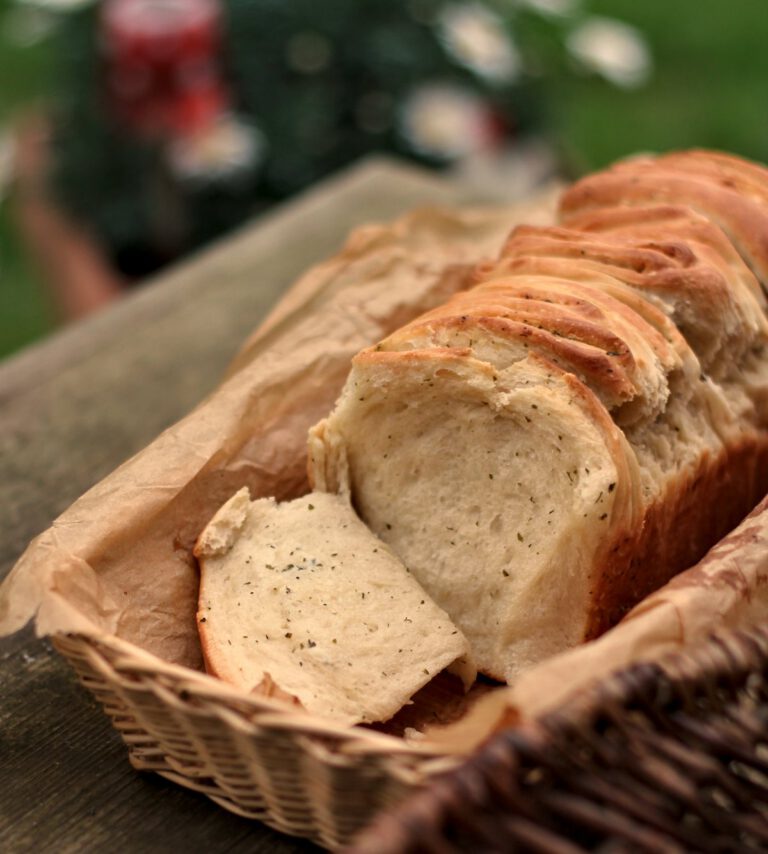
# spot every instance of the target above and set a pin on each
(247, 754)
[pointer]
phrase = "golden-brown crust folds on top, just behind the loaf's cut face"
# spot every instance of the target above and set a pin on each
(593, 331)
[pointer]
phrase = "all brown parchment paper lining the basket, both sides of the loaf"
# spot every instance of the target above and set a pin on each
(118, 561)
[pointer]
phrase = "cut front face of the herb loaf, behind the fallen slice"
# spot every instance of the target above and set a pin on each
(495, 486)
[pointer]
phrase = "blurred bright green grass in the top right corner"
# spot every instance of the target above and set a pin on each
(709, 88)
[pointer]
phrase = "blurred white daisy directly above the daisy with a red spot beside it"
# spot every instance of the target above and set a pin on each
(475, 37)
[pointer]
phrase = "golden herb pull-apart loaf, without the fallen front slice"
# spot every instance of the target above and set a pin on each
(553, 444)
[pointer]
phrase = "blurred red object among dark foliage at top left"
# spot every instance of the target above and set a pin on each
(163, 74)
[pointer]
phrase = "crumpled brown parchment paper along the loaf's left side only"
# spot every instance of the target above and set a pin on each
(118, 561)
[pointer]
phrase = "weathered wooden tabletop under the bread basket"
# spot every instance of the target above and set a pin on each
(74, 407)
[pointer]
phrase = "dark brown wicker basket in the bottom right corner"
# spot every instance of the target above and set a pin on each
(656, 758)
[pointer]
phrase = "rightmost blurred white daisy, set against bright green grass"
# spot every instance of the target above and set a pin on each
(613, 49)
